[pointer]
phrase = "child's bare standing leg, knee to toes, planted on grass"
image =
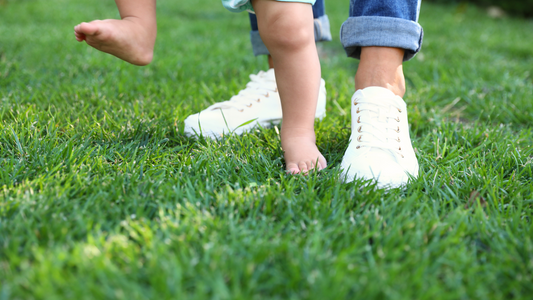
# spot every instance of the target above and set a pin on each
(287, 30)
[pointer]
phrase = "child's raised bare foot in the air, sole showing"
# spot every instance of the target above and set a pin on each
(125, 39)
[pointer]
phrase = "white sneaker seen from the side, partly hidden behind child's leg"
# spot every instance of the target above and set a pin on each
(257, 104)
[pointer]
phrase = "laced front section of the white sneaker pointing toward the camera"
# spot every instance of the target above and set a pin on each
(374, 127)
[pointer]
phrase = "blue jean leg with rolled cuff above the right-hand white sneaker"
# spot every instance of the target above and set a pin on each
(386, 23)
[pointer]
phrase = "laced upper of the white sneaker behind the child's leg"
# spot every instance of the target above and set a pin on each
(256, 90)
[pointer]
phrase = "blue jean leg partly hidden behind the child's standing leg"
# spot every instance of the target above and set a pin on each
(322, 29)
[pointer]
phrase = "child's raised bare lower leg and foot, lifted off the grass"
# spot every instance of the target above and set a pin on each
(132, 38)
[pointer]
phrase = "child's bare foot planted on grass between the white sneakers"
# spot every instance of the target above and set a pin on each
(300, 151)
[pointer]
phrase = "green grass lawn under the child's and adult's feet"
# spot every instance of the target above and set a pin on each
(102, 196)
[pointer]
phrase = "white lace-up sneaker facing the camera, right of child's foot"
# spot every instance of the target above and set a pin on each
(380, 147)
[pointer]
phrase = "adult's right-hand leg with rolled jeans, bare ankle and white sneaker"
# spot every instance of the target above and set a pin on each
(382, 34)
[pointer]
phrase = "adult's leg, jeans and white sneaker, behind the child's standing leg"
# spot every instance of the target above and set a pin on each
(228, 116)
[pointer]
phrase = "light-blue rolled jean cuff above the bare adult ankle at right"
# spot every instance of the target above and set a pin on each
(357, 32)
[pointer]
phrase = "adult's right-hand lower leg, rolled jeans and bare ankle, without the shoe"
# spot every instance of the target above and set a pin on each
(382, 34)
